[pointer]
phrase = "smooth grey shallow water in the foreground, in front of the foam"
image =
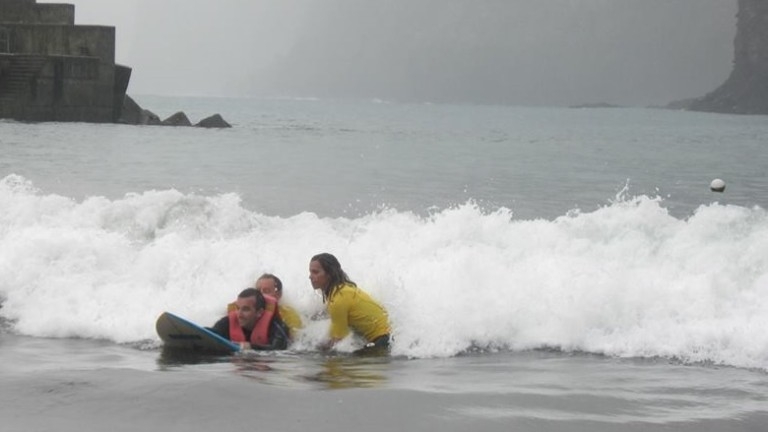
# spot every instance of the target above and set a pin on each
(538, 390)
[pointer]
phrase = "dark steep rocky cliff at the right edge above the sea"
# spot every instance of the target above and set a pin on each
(746, 90)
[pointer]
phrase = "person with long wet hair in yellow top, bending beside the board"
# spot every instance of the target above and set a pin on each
(350, 308)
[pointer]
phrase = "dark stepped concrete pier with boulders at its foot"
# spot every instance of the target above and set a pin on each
(54, 70)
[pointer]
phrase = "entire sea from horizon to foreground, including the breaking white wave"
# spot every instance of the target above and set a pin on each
(545, 269)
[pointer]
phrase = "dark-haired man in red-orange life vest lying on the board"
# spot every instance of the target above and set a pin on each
(255, 323)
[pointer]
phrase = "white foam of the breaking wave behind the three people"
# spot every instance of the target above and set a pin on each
(626, 280)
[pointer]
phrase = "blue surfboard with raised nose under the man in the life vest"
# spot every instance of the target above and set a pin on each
(178, 333)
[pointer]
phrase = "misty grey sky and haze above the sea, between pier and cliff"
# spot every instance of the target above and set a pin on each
(520, 52)
